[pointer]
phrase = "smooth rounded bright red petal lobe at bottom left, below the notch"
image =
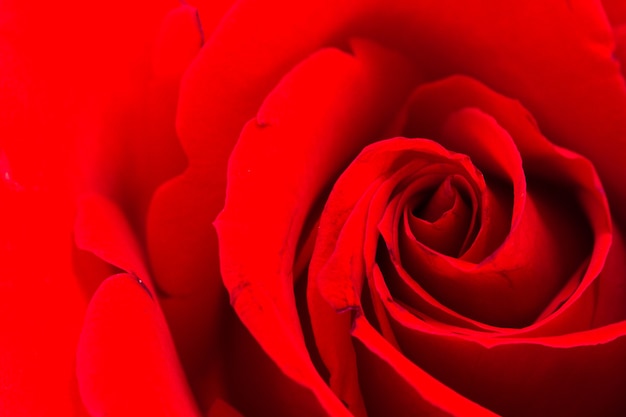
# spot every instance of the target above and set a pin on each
(126, 361)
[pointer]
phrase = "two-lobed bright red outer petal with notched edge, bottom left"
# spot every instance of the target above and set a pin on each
(126, 361)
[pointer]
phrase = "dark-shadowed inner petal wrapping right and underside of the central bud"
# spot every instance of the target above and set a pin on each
(541, 252)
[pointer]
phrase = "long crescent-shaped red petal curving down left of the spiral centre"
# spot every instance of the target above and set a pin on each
(341, 114)
